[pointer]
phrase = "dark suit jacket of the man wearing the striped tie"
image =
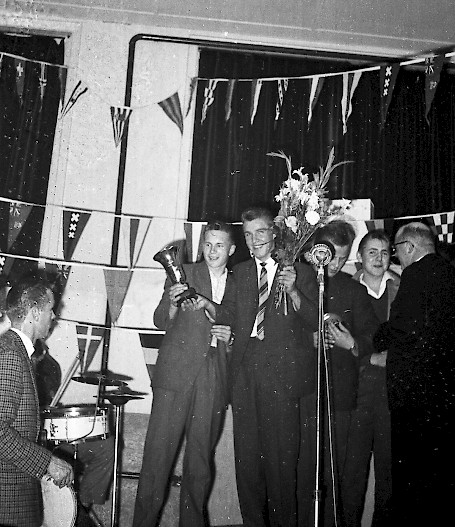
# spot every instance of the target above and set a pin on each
(287, 356)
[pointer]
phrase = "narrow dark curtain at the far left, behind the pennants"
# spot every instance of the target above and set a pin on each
(27, 129)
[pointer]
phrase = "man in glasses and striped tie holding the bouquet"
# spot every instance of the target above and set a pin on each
(268, 374)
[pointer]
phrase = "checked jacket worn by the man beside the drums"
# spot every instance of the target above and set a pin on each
(22, 461)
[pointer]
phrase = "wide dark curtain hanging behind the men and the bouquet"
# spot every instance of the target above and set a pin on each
(405, 169)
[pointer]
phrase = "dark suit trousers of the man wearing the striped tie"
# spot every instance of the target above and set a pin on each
(266, 444)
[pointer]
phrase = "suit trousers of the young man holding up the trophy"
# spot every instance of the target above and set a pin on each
(198, 413)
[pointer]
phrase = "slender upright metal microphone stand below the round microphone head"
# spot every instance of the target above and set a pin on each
(319, 405)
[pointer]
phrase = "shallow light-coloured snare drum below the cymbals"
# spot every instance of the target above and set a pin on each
(74, 424)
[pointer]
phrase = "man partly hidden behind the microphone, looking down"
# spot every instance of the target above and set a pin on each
(347, 341)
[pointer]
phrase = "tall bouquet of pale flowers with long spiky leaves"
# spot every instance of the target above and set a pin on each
(304, 208)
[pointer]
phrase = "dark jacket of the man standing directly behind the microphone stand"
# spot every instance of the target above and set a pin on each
(349, 300)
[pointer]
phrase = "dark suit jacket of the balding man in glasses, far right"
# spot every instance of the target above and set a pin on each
(420, 338)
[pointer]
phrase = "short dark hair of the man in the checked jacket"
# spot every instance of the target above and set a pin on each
(26, 293)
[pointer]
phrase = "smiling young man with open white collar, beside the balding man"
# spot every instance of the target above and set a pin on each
(370, 423)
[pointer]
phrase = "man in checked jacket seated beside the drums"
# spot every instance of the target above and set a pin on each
(29, 306)
